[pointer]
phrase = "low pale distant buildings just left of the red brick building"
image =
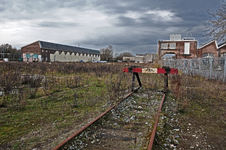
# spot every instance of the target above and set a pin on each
(141, 58)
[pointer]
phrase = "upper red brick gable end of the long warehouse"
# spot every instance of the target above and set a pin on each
(31, 48)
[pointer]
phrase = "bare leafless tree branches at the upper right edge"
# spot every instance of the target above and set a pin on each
(216, 25)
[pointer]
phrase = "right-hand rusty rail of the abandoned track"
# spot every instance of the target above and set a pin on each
(156, 124)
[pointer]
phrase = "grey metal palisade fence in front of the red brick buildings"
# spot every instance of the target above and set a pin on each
(212, 68)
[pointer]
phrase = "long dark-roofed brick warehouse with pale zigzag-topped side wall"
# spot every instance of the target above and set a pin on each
(42, 51)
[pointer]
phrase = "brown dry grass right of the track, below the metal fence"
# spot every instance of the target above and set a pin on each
(201, 104)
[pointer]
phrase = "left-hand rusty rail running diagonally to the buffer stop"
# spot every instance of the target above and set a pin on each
(82, 129)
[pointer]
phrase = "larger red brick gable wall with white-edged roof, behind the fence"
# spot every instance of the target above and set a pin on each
(210, 48)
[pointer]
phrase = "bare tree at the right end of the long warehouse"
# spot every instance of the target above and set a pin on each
(106, 54)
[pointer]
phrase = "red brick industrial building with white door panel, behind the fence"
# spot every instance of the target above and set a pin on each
(186, 48)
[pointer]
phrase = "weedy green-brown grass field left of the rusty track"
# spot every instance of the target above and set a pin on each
(43, 107)
